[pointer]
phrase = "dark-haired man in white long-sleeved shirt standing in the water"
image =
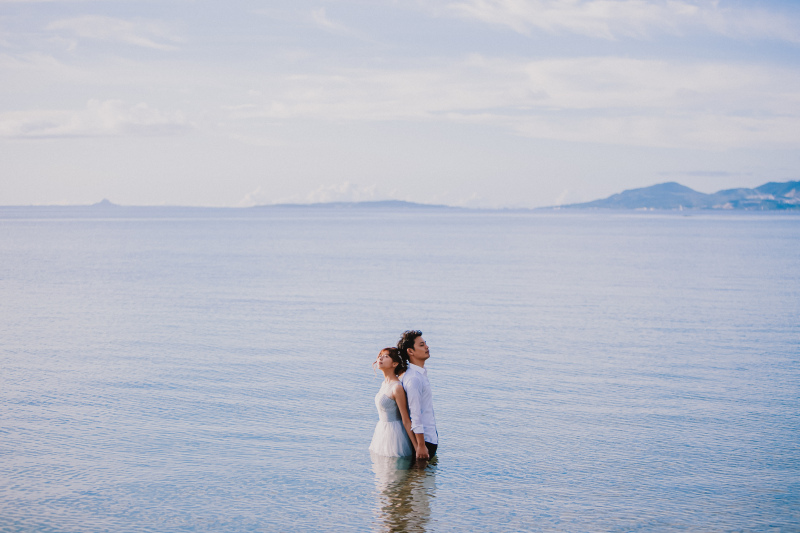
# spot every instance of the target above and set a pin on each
(414, 350)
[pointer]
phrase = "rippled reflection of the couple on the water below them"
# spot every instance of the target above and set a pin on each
(404, 492)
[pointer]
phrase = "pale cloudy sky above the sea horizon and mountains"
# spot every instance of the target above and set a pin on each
(477, 103)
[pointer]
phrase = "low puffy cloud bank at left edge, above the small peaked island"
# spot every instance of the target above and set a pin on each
(99, 119)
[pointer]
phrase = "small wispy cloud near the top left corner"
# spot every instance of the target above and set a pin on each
(147, 34)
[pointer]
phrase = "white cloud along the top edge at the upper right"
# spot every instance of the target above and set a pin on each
(614, 19)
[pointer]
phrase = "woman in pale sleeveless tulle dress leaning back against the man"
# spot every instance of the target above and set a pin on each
(393, 435)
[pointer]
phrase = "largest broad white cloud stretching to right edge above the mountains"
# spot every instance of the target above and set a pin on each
(595, 99)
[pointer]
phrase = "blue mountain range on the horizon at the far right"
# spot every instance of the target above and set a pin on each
(770, 196)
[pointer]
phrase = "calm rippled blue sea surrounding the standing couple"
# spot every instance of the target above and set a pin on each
(190, 370)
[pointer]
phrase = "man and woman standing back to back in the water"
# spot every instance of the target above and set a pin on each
(407, 426)
